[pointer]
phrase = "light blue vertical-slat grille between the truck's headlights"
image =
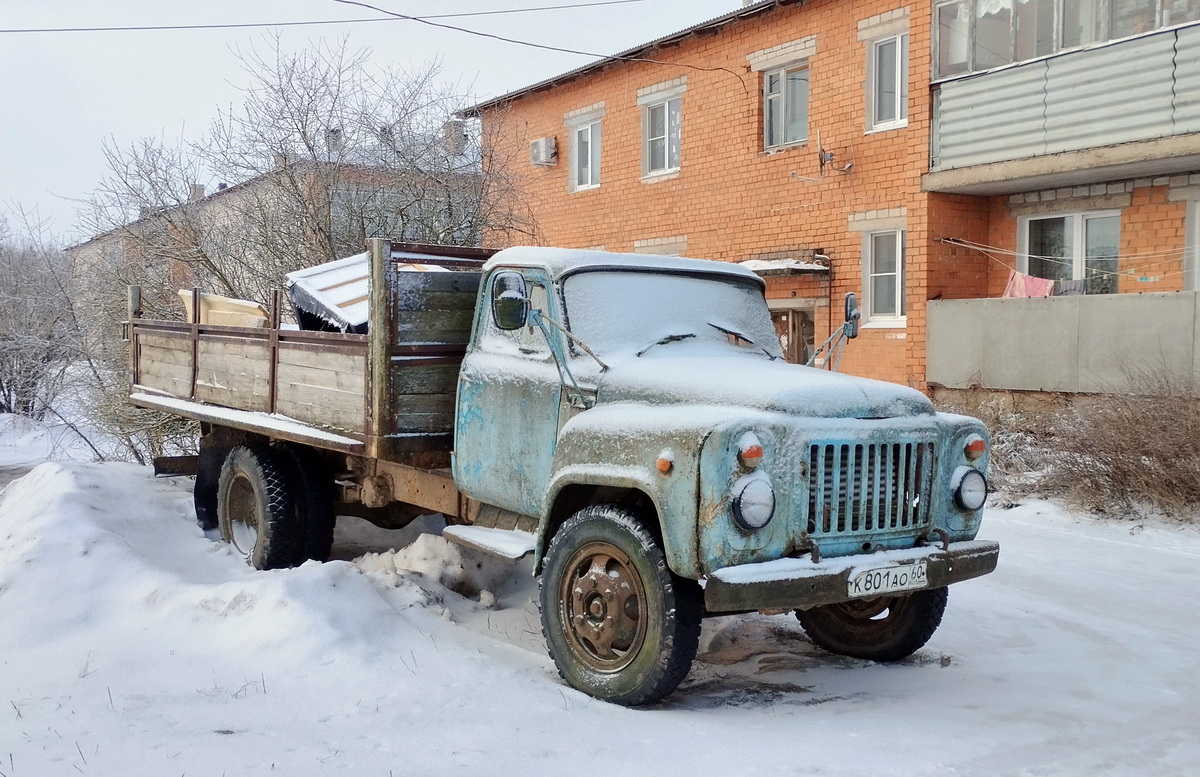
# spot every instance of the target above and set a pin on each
(861, 487)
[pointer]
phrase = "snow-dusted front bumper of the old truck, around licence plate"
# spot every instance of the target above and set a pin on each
(788, 585)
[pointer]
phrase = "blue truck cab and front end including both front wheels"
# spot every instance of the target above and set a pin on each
(639, 412)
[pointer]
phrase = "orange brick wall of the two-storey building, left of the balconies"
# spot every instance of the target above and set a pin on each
(733, 201)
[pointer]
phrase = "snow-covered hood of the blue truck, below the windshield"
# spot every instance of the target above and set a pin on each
(754, 382)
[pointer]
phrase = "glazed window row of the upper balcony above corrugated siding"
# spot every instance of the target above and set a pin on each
(977, 35)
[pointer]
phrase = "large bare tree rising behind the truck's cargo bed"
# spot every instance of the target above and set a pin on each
(326, 150)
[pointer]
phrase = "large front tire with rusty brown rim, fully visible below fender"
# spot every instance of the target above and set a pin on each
(634, 654)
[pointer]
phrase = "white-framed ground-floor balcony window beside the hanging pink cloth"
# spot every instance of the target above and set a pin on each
(1073, 248)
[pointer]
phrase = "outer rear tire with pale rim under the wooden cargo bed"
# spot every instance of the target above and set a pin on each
(255, 510)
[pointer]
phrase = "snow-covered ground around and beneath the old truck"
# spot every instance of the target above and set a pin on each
(134, 645)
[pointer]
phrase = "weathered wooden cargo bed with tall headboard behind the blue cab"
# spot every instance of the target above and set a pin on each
(387, 395)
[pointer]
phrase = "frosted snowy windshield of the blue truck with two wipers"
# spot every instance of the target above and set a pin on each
(626, 312)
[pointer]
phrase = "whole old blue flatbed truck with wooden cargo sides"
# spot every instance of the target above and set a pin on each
(627, 419)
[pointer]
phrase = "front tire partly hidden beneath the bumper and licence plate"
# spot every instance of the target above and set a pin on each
(881, 629)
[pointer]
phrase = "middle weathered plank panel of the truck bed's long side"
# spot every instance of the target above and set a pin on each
(235, 374)
